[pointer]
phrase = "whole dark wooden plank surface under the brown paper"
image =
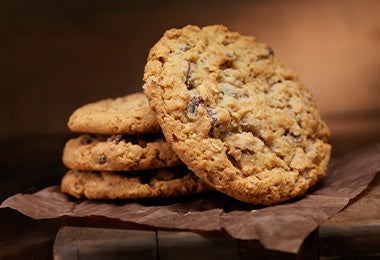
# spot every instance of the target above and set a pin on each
(352, 233)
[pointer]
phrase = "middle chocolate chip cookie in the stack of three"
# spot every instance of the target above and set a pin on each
(118, 152)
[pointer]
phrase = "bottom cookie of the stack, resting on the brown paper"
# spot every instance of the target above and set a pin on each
(132, 185)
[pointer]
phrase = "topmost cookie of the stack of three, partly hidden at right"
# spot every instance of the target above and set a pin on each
(123, 115)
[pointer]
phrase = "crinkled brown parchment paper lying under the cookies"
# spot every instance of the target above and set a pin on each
(281, 227)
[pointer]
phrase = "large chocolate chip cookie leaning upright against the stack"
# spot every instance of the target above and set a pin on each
(235, 115)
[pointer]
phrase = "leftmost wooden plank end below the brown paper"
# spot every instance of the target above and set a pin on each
(84, 242)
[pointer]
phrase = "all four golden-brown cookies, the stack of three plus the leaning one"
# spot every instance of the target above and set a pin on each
(240, 120)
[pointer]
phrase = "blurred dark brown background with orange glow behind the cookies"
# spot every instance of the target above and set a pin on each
(58, 55)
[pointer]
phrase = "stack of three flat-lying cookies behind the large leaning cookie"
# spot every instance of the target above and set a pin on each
(121, 153)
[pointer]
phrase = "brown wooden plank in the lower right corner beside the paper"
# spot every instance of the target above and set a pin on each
(355, 231)
